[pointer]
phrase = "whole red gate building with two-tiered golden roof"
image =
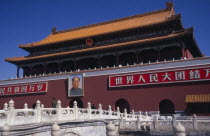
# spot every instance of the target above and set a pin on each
(145, 62)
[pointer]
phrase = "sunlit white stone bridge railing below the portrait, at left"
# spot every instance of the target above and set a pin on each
(11, 116)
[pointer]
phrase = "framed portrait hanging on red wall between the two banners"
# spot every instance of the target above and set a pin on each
(72, 92)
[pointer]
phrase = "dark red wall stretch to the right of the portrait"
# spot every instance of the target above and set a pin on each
(142, 98)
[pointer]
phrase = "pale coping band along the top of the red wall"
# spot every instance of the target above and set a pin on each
(174, 64)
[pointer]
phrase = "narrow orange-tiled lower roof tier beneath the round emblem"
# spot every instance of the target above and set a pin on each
(177, 34)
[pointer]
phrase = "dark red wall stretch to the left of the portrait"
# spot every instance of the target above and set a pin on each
(56, 88)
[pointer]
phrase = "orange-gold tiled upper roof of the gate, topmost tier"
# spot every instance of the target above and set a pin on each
(126, 23)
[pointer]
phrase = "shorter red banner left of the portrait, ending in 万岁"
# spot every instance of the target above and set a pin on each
(23, 88)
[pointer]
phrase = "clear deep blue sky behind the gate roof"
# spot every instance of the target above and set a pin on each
(27, 21)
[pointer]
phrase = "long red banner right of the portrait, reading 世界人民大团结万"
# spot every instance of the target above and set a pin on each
(183, 75)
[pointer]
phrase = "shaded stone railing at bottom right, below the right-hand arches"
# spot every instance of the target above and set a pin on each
(192, 125)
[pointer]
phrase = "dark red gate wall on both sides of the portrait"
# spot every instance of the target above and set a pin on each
(144, 98)
